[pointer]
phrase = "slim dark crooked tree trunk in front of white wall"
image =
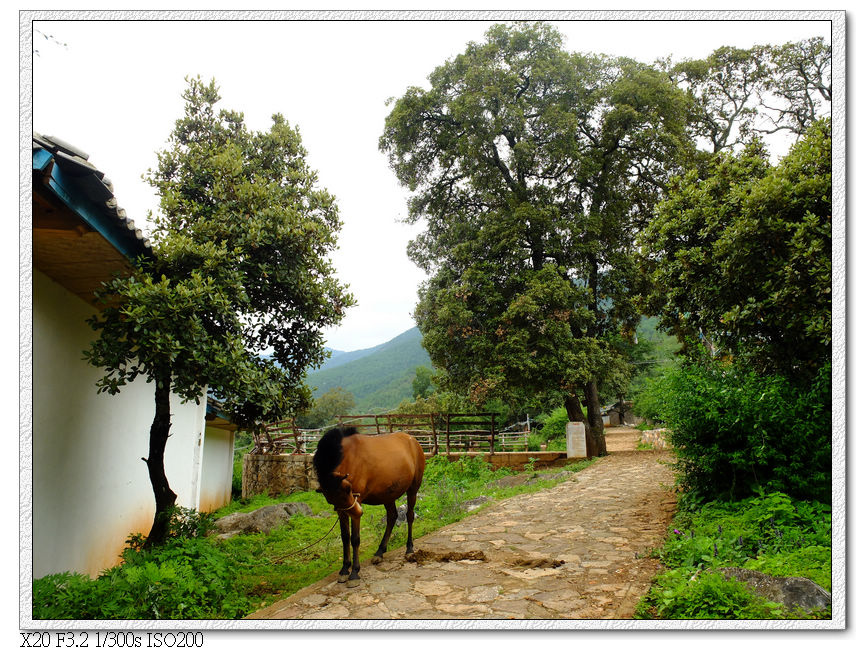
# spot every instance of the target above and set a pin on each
(162, 492)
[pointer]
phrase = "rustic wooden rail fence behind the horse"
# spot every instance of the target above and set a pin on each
(436, 433)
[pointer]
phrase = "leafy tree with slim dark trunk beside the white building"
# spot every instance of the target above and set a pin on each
(240, 266)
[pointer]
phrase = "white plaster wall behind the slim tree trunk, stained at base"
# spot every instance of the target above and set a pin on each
(90, 487)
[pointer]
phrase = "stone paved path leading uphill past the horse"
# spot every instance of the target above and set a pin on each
(573, 551)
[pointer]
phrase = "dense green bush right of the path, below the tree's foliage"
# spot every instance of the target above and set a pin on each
(736, 433)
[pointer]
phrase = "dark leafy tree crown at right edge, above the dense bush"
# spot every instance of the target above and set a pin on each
(742, 258)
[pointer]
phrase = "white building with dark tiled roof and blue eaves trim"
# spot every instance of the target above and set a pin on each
(90, 487)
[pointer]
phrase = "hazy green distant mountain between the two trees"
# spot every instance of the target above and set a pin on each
(379, 377)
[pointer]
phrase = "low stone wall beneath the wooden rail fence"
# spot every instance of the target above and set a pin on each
(275, 474)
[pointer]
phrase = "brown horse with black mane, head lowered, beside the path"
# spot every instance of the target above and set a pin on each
(354, 469)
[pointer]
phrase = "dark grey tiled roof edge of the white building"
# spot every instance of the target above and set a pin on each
(92, 184)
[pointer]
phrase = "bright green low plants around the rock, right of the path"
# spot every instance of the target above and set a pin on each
(773, 534)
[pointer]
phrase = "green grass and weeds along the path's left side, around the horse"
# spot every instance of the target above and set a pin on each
(194, 576)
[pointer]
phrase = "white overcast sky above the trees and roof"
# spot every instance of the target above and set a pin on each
(113, 89)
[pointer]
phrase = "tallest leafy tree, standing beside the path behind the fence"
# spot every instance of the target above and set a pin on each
(532, 168)
